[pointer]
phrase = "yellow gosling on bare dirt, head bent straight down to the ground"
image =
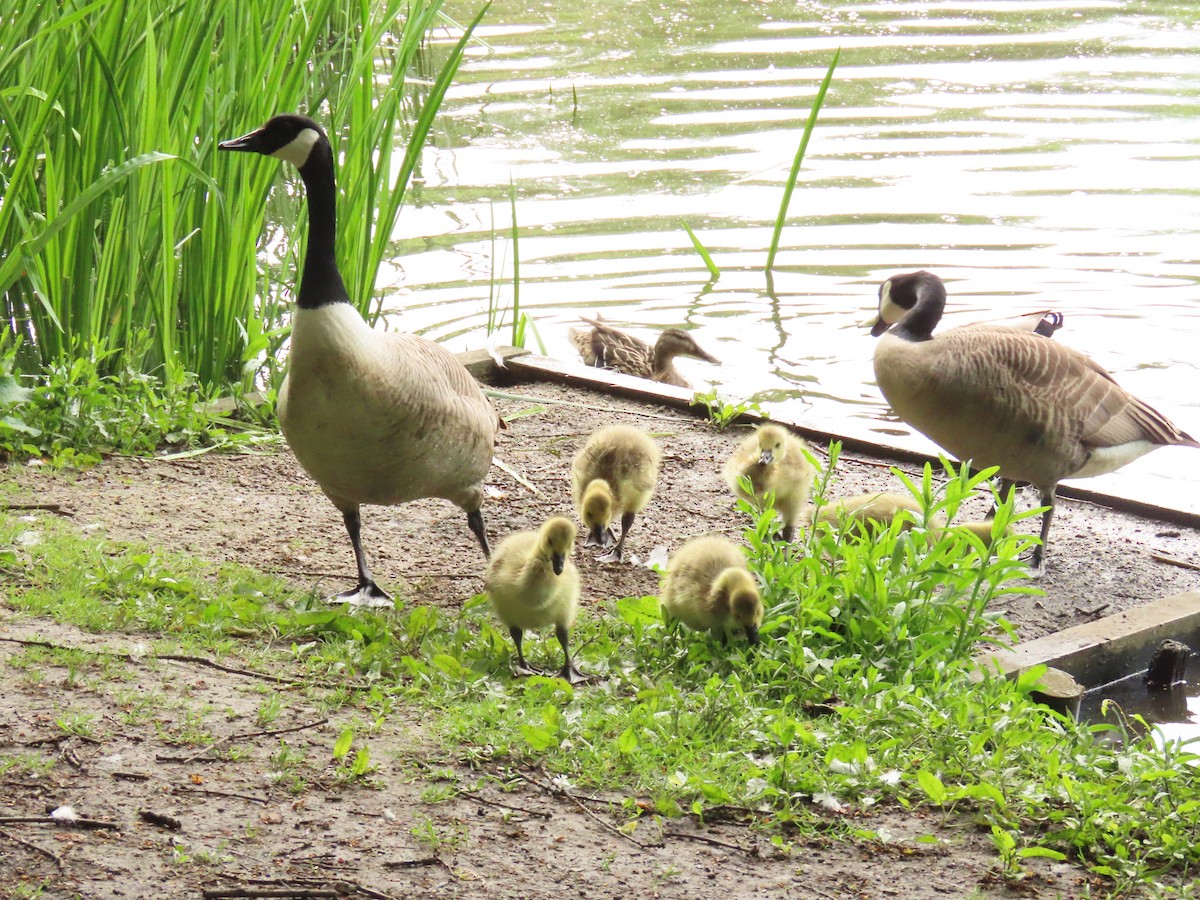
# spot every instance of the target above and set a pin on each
(616, 471)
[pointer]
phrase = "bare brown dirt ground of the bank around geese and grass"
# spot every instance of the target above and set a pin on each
(241, 826)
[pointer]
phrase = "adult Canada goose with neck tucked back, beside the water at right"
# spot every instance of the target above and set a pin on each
(999, 397)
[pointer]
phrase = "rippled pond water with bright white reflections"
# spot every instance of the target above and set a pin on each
(1036, 155)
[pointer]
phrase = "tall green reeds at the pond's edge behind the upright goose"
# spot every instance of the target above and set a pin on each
(127, 237)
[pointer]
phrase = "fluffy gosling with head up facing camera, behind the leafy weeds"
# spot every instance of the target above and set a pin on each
(776, 463)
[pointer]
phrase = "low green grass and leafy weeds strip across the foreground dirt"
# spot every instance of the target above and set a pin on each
(860, 695)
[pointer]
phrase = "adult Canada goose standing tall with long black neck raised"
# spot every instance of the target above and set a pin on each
(375, 418)
